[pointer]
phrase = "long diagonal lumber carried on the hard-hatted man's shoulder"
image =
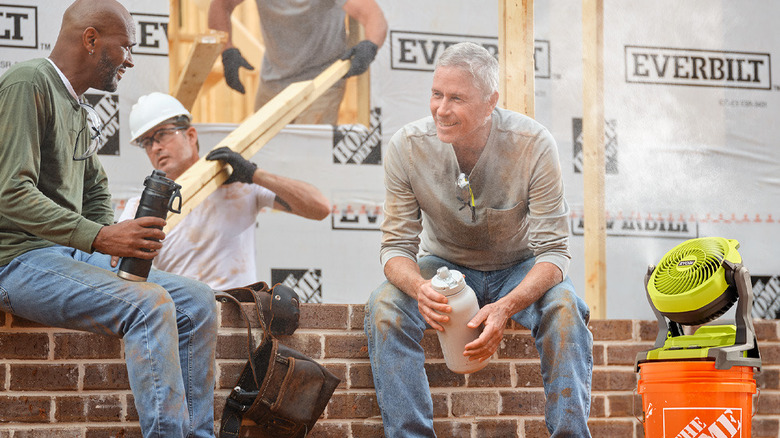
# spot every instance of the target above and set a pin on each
(204, 177)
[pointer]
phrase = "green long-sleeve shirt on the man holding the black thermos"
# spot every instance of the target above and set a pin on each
(46, 197)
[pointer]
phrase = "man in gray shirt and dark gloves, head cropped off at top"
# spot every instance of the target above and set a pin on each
(301, 40)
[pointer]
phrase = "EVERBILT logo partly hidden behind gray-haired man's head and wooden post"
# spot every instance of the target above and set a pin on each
(418, 51)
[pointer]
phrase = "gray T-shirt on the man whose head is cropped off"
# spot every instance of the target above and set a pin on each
(302, 37)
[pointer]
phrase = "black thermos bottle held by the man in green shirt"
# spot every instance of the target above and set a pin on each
(156, 200)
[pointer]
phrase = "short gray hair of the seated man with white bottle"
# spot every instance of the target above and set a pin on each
(476, 60)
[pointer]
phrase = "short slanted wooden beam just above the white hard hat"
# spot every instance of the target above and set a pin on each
(204, 53)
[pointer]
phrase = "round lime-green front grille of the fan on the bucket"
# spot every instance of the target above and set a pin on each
(689, 265)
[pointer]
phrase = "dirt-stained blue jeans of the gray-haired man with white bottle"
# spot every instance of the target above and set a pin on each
(558, 322)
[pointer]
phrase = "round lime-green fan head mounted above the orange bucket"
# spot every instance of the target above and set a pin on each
(689, 284)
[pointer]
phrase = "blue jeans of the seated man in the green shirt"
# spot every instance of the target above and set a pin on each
(169, 326)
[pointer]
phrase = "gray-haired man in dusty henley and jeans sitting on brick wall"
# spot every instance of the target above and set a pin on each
(478, 189)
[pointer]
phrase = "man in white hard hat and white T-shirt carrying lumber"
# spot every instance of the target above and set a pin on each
(215, 242)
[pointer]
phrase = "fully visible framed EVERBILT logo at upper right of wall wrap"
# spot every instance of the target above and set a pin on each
(671, 66)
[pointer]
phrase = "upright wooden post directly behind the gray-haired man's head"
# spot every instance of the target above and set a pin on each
(516, 55)
